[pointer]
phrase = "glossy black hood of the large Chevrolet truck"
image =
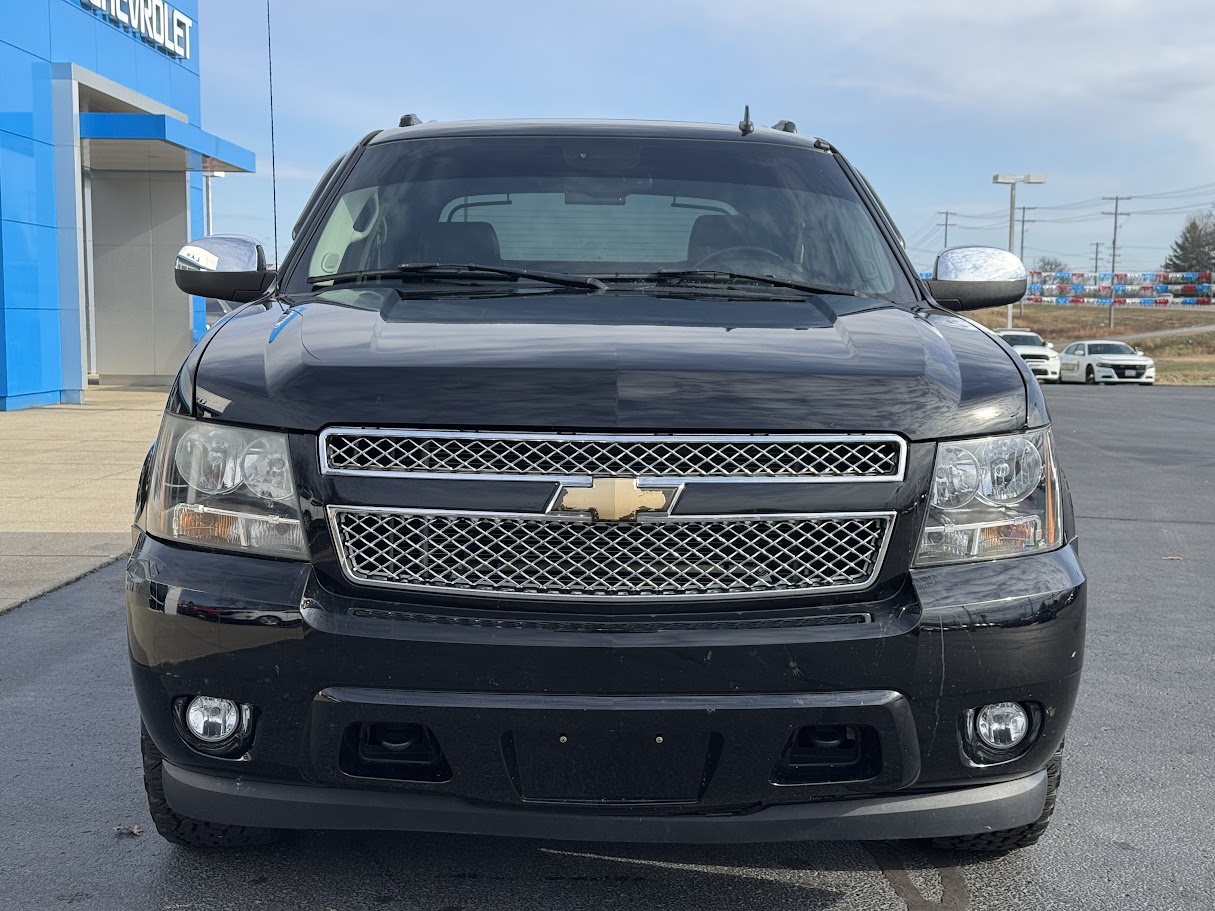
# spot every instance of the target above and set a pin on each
(611, 361)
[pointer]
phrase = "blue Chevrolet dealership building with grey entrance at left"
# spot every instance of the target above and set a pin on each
(104, 165)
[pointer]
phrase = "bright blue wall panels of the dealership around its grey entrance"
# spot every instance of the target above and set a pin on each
(35, 35)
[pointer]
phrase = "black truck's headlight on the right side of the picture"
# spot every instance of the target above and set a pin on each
(991, 499)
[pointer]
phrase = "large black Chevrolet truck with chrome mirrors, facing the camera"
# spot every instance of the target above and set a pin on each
(603, 482)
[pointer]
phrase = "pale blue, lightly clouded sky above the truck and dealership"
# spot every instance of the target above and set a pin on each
(929, 100)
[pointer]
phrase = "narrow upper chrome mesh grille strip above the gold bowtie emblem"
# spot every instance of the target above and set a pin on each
(564, 456)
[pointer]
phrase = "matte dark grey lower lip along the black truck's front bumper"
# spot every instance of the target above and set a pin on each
(282, 806)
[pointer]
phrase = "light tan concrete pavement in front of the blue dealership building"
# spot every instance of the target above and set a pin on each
(69, 486)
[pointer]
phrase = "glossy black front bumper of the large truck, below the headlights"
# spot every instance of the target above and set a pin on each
(498, 691)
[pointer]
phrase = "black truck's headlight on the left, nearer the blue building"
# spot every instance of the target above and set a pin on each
(225, 488)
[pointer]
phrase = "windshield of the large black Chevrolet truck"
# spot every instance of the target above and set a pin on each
(604, 207)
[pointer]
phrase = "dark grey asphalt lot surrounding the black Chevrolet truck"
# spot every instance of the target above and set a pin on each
(1134, 829)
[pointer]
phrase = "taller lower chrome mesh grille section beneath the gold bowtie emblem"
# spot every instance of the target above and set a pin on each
(534, 556)
